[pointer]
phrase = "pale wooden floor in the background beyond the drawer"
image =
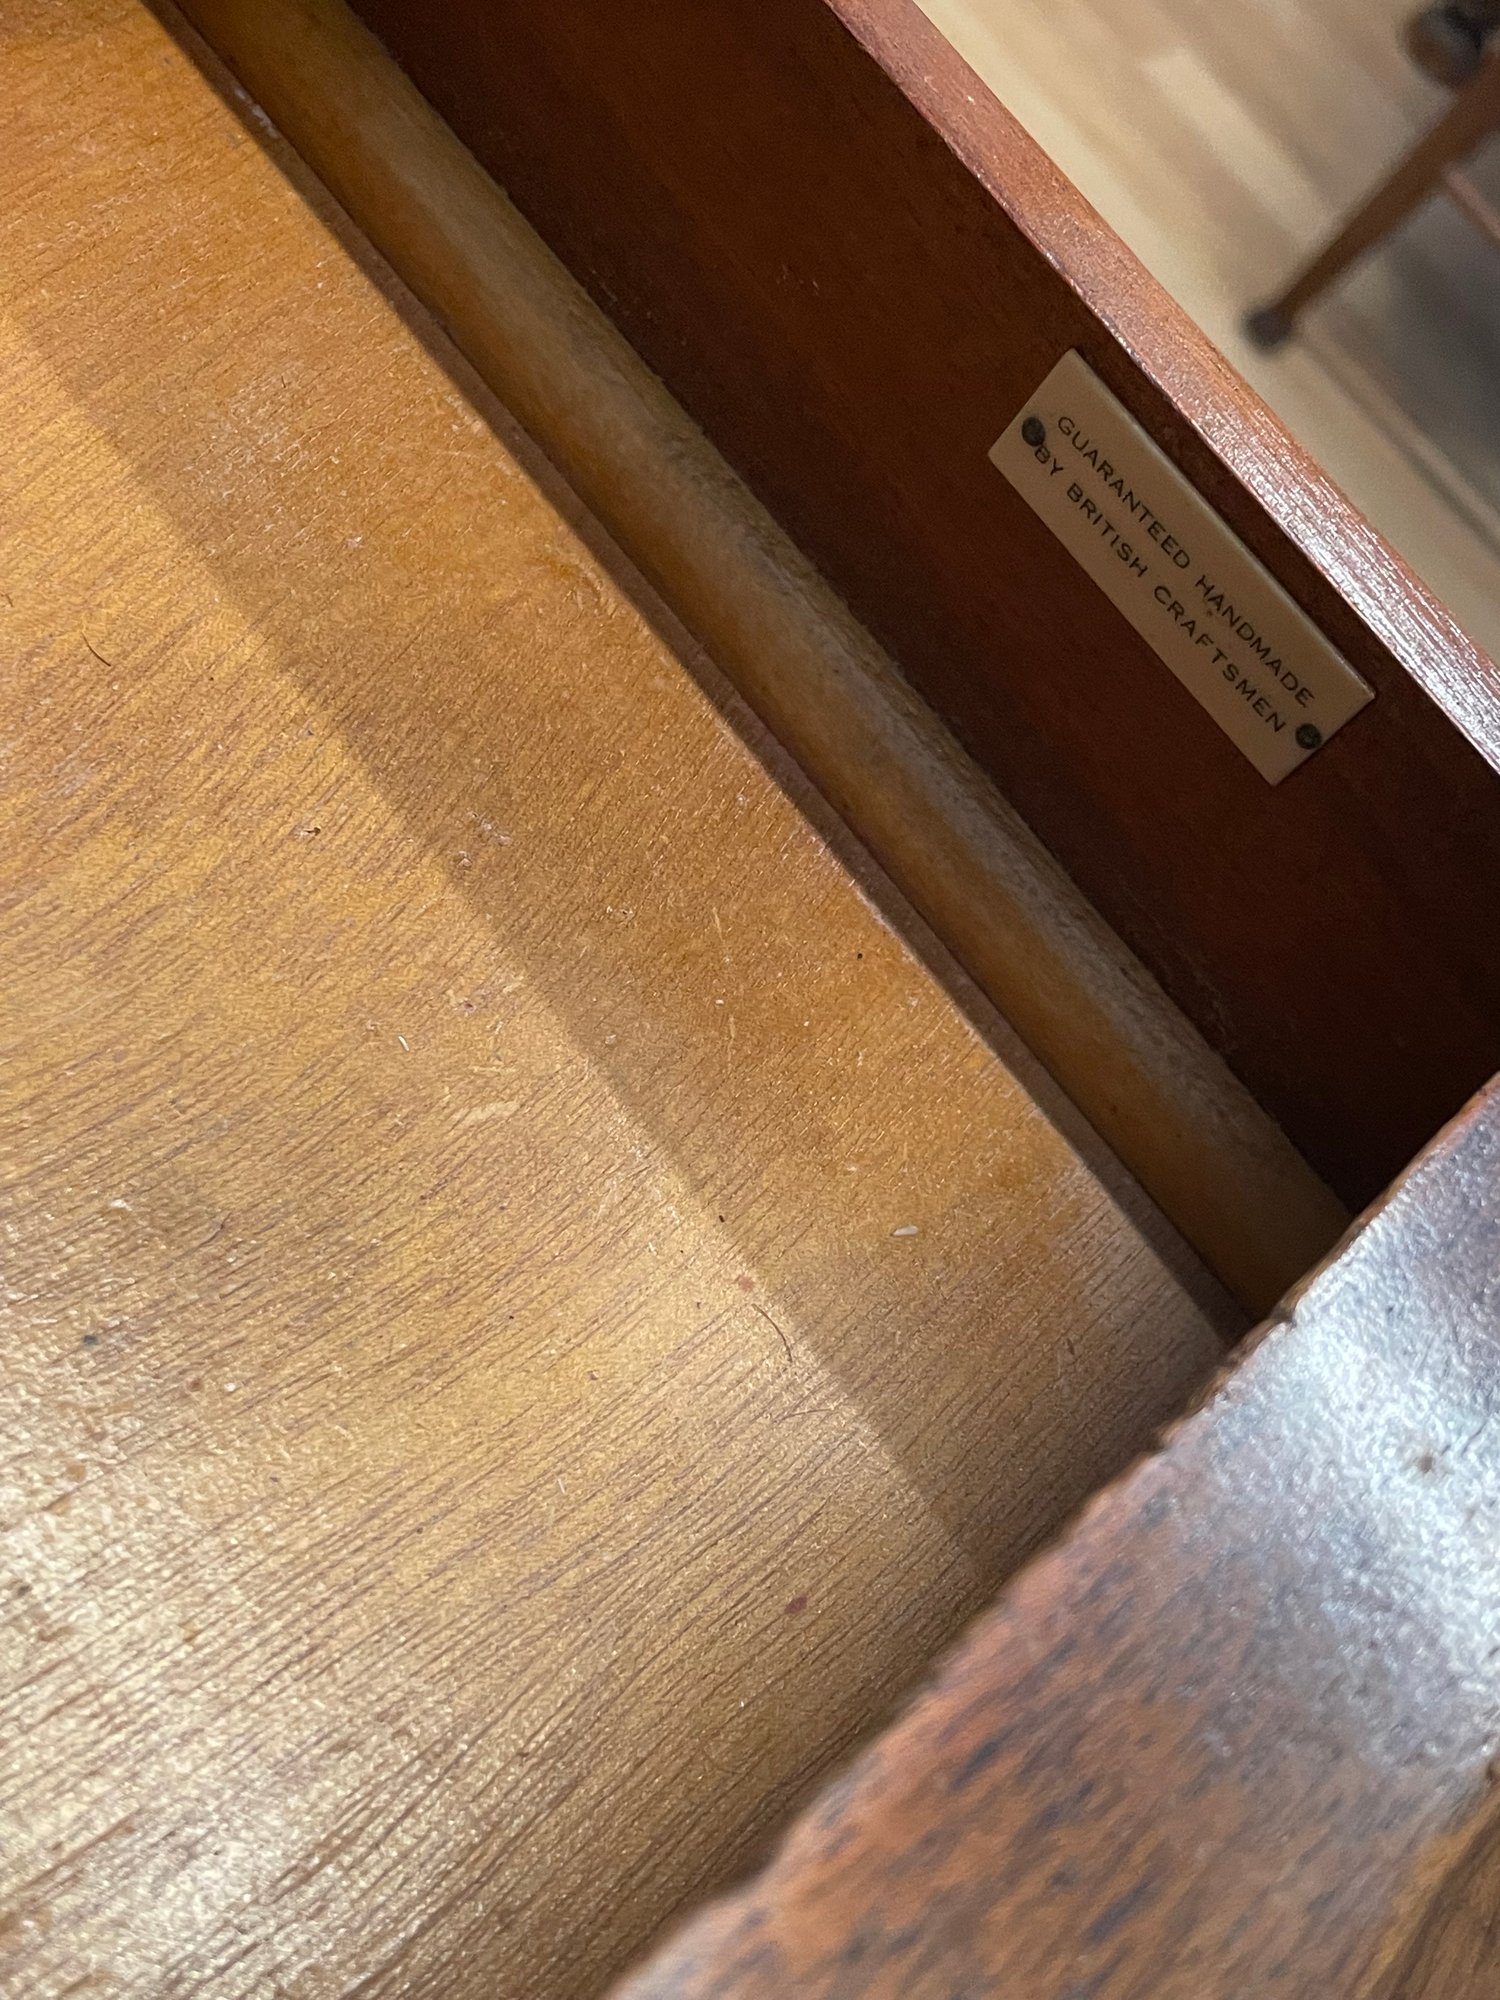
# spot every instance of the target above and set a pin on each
(1225, 141)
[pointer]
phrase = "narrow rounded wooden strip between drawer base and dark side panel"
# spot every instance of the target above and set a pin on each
(1149, 1083)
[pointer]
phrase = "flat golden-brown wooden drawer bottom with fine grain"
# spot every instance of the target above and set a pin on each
(529, 1311)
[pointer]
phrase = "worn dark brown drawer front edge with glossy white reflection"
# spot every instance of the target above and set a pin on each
(1235, 1733)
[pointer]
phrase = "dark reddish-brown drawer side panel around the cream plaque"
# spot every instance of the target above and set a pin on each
(853, 269)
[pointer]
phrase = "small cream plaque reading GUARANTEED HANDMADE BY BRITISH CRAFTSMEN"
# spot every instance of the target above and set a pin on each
(1185, 581)
